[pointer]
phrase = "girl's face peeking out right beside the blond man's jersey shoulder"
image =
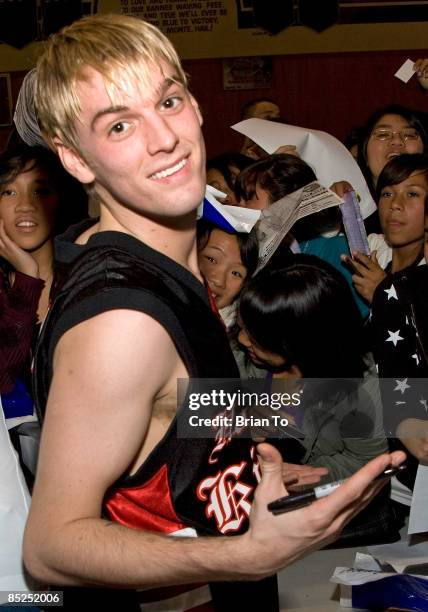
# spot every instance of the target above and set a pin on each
(221, 265)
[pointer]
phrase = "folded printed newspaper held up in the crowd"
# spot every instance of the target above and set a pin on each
(277, 220)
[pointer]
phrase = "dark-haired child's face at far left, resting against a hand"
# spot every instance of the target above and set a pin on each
(28, 206)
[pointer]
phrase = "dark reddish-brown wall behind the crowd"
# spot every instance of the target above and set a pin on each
(334, 92)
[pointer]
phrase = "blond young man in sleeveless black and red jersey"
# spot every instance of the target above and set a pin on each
(113, 100)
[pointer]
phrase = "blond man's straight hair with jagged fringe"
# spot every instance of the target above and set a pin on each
(122, 49)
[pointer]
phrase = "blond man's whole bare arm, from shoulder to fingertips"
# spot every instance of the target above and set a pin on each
(108, 372)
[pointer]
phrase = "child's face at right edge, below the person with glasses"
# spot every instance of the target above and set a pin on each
(401, 210)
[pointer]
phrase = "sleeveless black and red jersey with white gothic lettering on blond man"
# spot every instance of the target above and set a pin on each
(184, 483)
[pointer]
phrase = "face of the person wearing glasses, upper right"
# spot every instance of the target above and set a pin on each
(380, 149)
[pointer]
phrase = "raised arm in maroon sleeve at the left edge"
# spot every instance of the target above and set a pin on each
(18, 310)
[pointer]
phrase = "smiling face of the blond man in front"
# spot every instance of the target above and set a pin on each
(145, 150)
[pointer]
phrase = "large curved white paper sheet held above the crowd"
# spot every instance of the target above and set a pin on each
(329, 158)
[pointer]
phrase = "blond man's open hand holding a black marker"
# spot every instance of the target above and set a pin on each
(277, 541)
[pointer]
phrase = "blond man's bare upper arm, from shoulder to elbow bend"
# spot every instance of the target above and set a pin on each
(108, 372)
